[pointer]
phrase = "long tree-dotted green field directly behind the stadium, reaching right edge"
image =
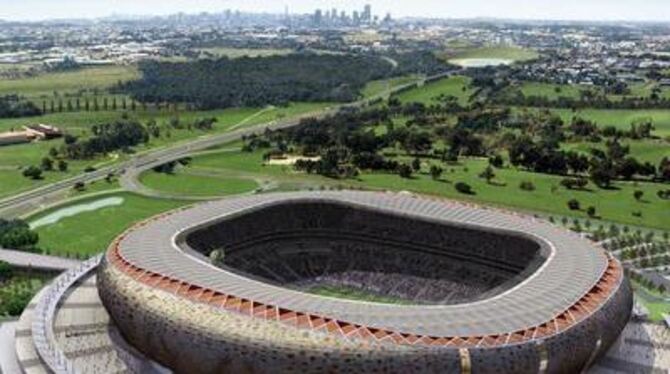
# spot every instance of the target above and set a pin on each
(617, 204)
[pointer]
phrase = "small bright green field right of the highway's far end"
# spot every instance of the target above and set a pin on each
(457, 86)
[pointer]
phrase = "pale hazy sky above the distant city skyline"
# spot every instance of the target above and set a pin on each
(658, 10)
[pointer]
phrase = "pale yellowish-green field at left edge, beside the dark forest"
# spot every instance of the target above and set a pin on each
(71, 82)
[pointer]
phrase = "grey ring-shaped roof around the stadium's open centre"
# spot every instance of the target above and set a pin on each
(573, 267)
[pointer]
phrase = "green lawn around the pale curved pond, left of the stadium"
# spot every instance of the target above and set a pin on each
(89, 233)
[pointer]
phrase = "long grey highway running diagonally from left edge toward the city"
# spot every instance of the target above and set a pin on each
(27, 202)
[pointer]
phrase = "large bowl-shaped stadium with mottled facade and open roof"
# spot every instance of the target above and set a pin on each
(350, 281)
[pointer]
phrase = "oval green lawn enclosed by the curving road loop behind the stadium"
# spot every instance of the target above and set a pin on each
(185, 184)
